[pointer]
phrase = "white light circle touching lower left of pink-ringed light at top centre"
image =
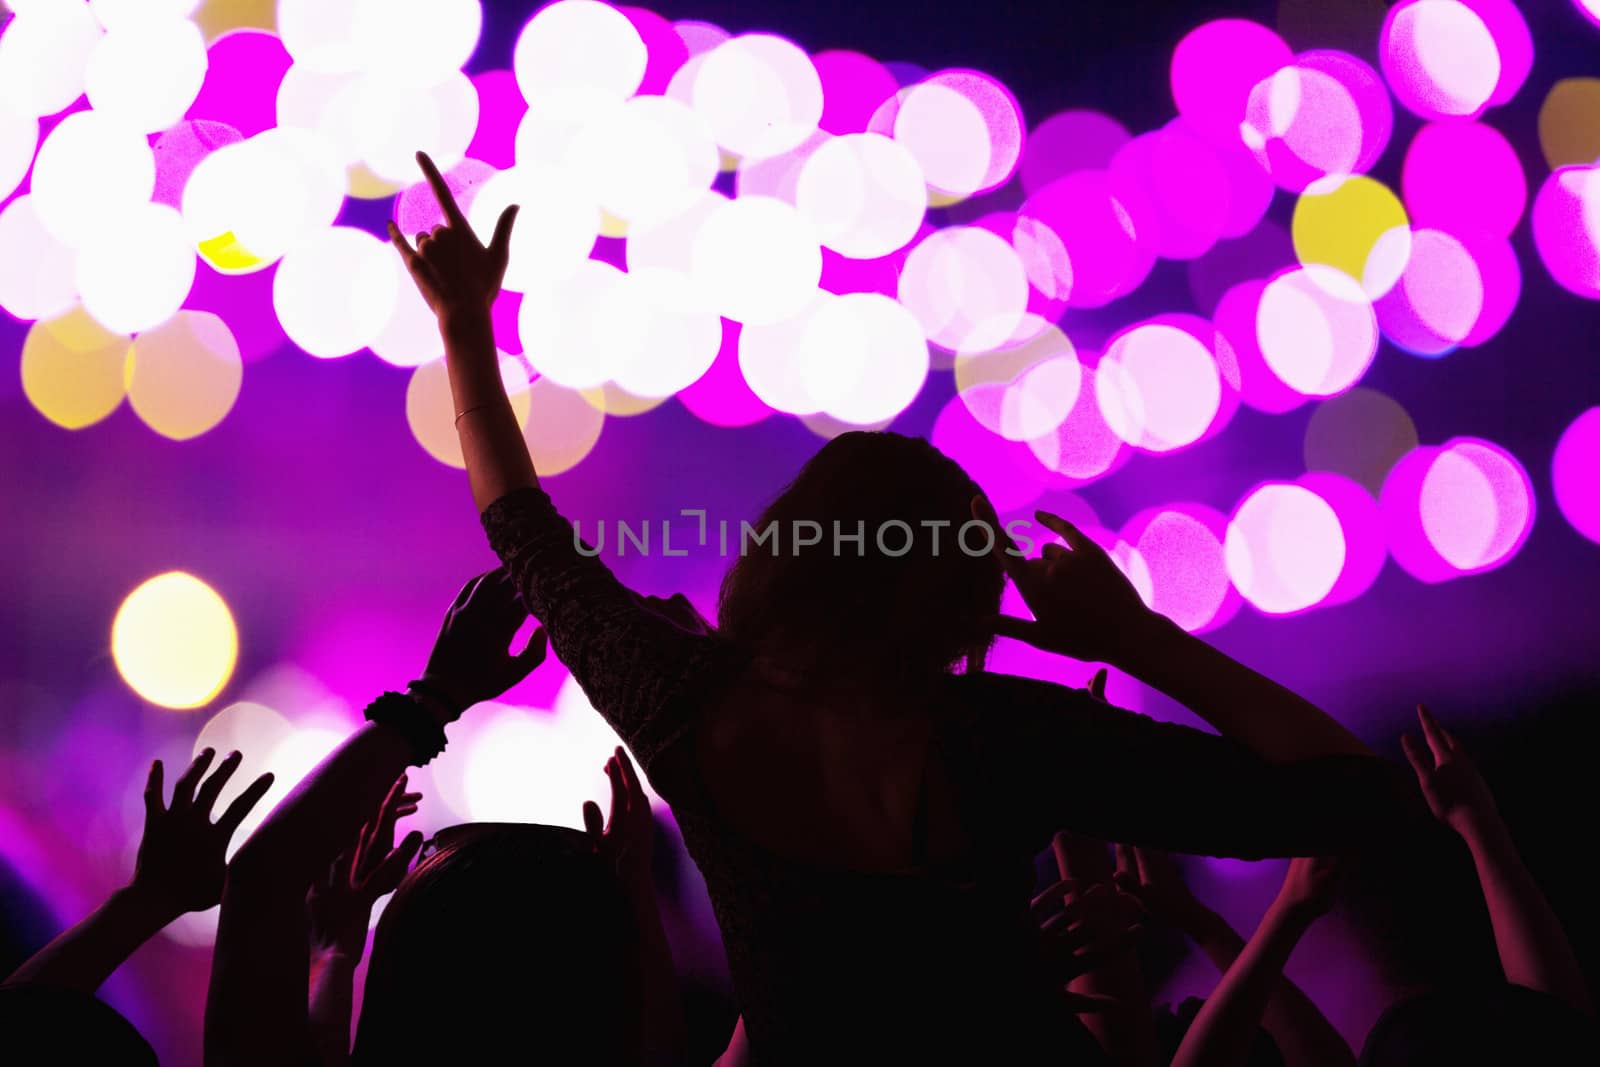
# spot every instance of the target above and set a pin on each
(865, 194)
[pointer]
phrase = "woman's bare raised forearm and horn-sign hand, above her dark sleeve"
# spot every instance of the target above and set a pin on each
(460, 279)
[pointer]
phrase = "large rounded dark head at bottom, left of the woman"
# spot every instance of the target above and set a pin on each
(510, 941)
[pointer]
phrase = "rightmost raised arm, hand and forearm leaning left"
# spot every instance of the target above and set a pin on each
(1532, 945)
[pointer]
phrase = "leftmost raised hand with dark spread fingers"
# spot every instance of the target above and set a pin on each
(183, 855)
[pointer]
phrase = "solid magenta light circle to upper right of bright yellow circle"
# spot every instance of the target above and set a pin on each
(1463, 175)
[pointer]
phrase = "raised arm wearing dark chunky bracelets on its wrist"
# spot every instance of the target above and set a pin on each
(257, 1009)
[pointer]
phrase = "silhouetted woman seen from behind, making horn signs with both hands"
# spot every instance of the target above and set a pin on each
(865, 817)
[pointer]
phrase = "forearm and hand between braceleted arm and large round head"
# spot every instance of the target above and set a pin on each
(342, 909)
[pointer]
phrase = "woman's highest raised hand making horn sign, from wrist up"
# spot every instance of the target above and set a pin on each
(452, 268)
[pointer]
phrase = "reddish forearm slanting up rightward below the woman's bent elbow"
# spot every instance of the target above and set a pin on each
(1226, 1026)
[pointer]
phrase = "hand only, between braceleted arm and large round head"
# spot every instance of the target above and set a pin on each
(342, 906)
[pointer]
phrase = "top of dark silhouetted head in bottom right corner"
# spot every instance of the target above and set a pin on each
(1494, 1025)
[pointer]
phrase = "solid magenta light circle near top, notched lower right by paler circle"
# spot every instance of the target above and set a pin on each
(1218, 66)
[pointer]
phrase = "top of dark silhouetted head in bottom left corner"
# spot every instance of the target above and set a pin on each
(58, 1026)
